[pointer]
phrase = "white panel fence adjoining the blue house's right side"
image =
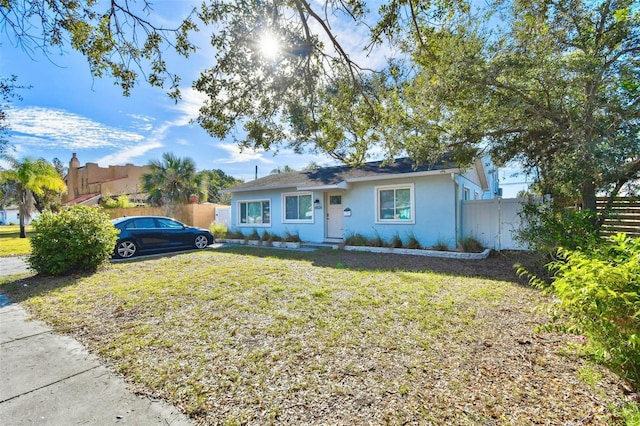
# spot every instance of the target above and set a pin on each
(493, 222)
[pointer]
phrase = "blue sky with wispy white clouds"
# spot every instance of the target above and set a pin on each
(67, 111)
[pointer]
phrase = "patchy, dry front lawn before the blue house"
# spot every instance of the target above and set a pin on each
(261, 336)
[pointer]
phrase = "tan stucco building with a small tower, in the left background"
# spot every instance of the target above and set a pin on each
(88, 184)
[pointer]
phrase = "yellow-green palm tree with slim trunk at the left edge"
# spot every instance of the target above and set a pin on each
(27, 178)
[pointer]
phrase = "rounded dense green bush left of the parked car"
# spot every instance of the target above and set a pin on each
(77, 239)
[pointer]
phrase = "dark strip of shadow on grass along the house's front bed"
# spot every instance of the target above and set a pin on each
(499, 266)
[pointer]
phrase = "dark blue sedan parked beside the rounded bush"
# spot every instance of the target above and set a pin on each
(143, 234)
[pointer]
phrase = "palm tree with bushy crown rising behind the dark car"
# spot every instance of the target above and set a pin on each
(170, 181)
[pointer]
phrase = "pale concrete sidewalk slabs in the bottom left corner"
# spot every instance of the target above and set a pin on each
(51, 379)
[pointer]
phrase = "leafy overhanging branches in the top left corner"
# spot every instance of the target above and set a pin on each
(117, 37)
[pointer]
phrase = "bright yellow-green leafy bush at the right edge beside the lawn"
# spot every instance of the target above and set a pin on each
(598, 293)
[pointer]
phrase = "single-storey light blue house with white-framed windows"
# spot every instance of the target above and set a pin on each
(332, 203)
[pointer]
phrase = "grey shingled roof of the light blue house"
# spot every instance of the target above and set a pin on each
(341, 176)
